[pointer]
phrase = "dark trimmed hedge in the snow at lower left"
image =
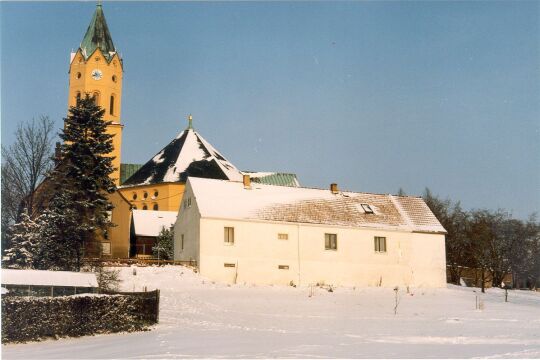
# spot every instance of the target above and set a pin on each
(32, 318)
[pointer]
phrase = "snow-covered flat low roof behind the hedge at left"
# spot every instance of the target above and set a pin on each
(48, 278)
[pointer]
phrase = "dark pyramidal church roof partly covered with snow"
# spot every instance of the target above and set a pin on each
(189, 154)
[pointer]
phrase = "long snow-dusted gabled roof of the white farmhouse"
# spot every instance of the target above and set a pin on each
(230, 200)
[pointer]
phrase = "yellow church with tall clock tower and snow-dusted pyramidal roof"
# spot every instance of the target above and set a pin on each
(148, 195)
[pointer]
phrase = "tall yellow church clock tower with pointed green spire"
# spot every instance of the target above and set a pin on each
(96, 69)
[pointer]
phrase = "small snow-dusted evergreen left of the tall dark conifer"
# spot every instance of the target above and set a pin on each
(24, 241)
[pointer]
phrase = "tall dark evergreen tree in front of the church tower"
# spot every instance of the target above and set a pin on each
(78, 211)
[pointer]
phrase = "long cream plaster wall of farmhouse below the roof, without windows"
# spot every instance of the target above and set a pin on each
(412, 259)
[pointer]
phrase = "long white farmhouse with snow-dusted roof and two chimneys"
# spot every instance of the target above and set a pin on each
(242, 232)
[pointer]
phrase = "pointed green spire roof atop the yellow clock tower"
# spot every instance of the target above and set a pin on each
(97, 35)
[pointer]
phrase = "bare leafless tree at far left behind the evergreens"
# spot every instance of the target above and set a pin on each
(24, 165)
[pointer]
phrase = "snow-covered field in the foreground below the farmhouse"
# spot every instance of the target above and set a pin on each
(202, 319)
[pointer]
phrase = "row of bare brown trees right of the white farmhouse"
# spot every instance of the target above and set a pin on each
(491, 241)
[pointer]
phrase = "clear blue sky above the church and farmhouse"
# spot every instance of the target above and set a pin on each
(371, 95)
